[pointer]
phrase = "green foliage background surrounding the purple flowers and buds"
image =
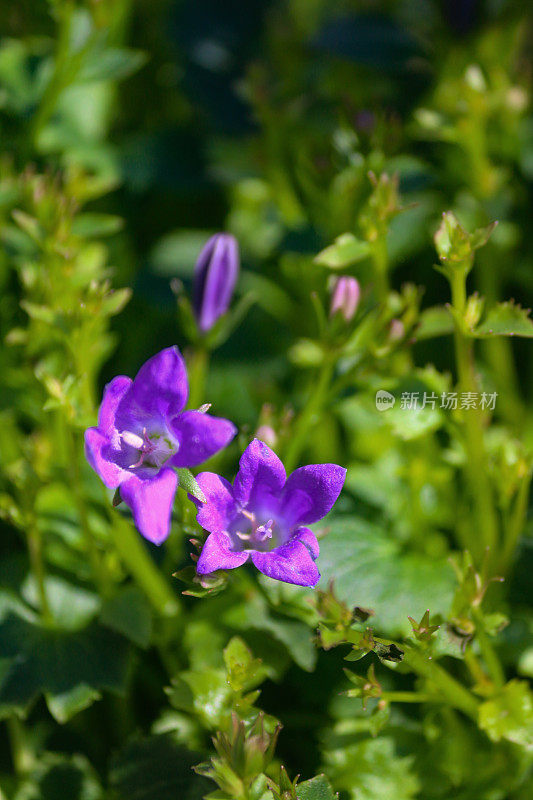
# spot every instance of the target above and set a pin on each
(131, 130)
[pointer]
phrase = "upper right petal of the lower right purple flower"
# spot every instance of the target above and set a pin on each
(310, 492)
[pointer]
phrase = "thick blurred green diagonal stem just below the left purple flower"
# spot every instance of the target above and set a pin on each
(143, 569)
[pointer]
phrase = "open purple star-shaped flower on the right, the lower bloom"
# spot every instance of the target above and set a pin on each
(263, 516)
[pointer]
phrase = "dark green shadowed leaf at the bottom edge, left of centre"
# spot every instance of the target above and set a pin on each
(156, 768)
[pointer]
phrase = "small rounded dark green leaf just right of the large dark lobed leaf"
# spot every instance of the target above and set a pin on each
(128, 613)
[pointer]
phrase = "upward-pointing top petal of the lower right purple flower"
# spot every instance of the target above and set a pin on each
(261, 476)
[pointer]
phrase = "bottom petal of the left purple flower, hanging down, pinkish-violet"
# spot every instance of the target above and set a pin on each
(150, 499)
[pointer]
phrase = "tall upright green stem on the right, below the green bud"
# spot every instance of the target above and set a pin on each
(477, 474)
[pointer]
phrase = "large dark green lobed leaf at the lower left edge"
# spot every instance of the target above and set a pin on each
(69, 668)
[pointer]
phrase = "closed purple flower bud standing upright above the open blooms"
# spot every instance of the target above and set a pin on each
(215, 275)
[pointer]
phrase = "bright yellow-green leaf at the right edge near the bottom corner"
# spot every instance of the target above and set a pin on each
(509, 715)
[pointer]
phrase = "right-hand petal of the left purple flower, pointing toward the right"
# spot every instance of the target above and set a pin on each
(200, 436)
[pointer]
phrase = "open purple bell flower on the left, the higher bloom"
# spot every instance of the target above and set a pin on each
(143, 432)
